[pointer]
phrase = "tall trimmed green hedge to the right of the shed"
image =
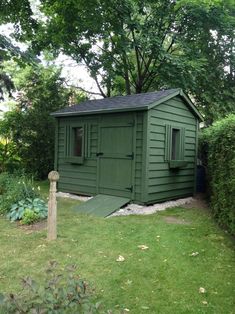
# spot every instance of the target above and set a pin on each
(217, 147)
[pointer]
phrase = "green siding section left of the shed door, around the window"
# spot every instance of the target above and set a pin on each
(78, 178)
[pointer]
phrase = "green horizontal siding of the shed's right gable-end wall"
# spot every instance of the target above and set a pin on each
(164, 183)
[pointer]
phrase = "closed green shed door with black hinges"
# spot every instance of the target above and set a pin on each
(115, 160)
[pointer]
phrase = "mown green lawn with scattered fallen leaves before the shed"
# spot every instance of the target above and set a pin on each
(162, 279)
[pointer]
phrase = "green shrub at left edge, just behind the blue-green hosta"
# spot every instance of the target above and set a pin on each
(14, 188)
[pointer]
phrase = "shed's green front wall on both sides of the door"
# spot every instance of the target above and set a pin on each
(82, 178)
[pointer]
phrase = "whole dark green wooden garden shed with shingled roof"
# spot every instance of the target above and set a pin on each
(142, 147)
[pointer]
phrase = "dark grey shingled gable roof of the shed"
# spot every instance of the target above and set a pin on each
(134, 102)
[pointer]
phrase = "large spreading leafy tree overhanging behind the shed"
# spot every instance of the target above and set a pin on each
(137, 46)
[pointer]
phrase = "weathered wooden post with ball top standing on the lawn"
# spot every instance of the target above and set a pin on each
(53, 176)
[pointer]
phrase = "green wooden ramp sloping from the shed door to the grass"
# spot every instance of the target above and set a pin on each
(101, 205)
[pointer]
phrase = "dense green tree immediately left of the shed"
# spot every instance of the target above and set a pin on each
(29, 127)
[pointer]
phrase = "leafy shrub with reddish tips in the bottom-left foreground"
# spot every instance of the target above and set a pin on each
(59, 293)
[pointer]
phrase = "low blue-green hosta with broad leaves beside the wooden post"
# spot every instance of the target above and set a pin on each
(28, 207)
